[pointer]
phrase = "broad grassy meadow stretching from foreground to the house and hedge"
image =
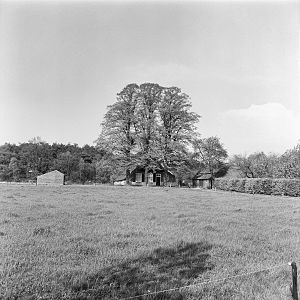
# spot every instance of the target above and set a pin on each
(105, 242)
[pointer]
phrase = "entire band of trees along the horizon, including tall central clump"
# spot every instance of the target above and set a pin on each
(149, 126)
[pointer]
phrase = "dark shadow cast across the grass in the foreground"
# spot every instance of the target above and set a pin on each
(164, 268)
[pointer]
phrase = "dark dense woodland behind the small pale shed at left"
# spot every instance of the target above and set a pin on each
(25, 161)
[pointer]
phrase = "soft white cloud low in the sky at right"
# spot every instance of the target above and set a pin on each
(270, 127)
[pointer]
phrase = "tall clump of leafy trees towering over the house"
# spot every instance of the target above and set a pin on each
(148, 126)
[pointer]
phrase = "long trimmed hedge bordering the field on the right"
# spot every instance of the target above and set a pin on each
(267, 186)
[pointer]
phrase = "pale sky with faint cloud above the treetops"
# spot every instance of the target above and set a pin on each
(63, 62)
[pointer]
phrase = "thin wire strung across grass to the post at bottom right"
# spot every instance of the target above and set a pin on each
(209, 282)
